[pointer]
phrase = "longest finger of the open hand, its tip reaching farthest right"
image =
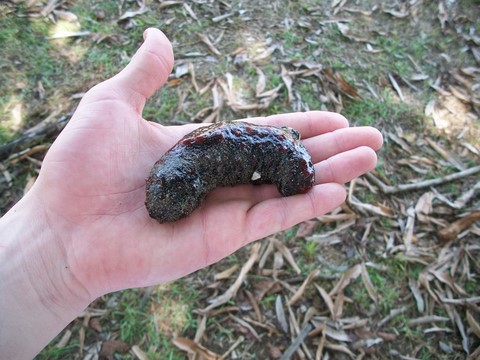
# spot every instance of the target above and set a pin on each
(335, 142)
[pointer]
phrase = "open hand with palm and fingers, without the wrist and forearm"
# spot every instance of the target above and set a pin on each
(93, 182)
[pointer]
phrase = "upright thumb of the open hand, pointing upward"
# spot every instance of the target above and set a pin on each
(147, 71)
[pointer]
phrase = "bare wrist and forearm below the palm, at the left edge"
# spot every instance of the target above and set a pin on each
(37, 288)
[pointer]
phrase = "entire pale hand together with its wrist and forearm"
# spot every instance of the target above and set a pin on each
(82, 231)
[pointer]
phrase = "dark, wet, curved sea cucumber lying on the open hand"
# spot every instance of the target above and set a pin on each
(226, 154)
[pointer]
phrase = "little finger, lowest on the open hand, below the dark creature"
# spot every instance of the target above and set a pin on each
(277, 214)
